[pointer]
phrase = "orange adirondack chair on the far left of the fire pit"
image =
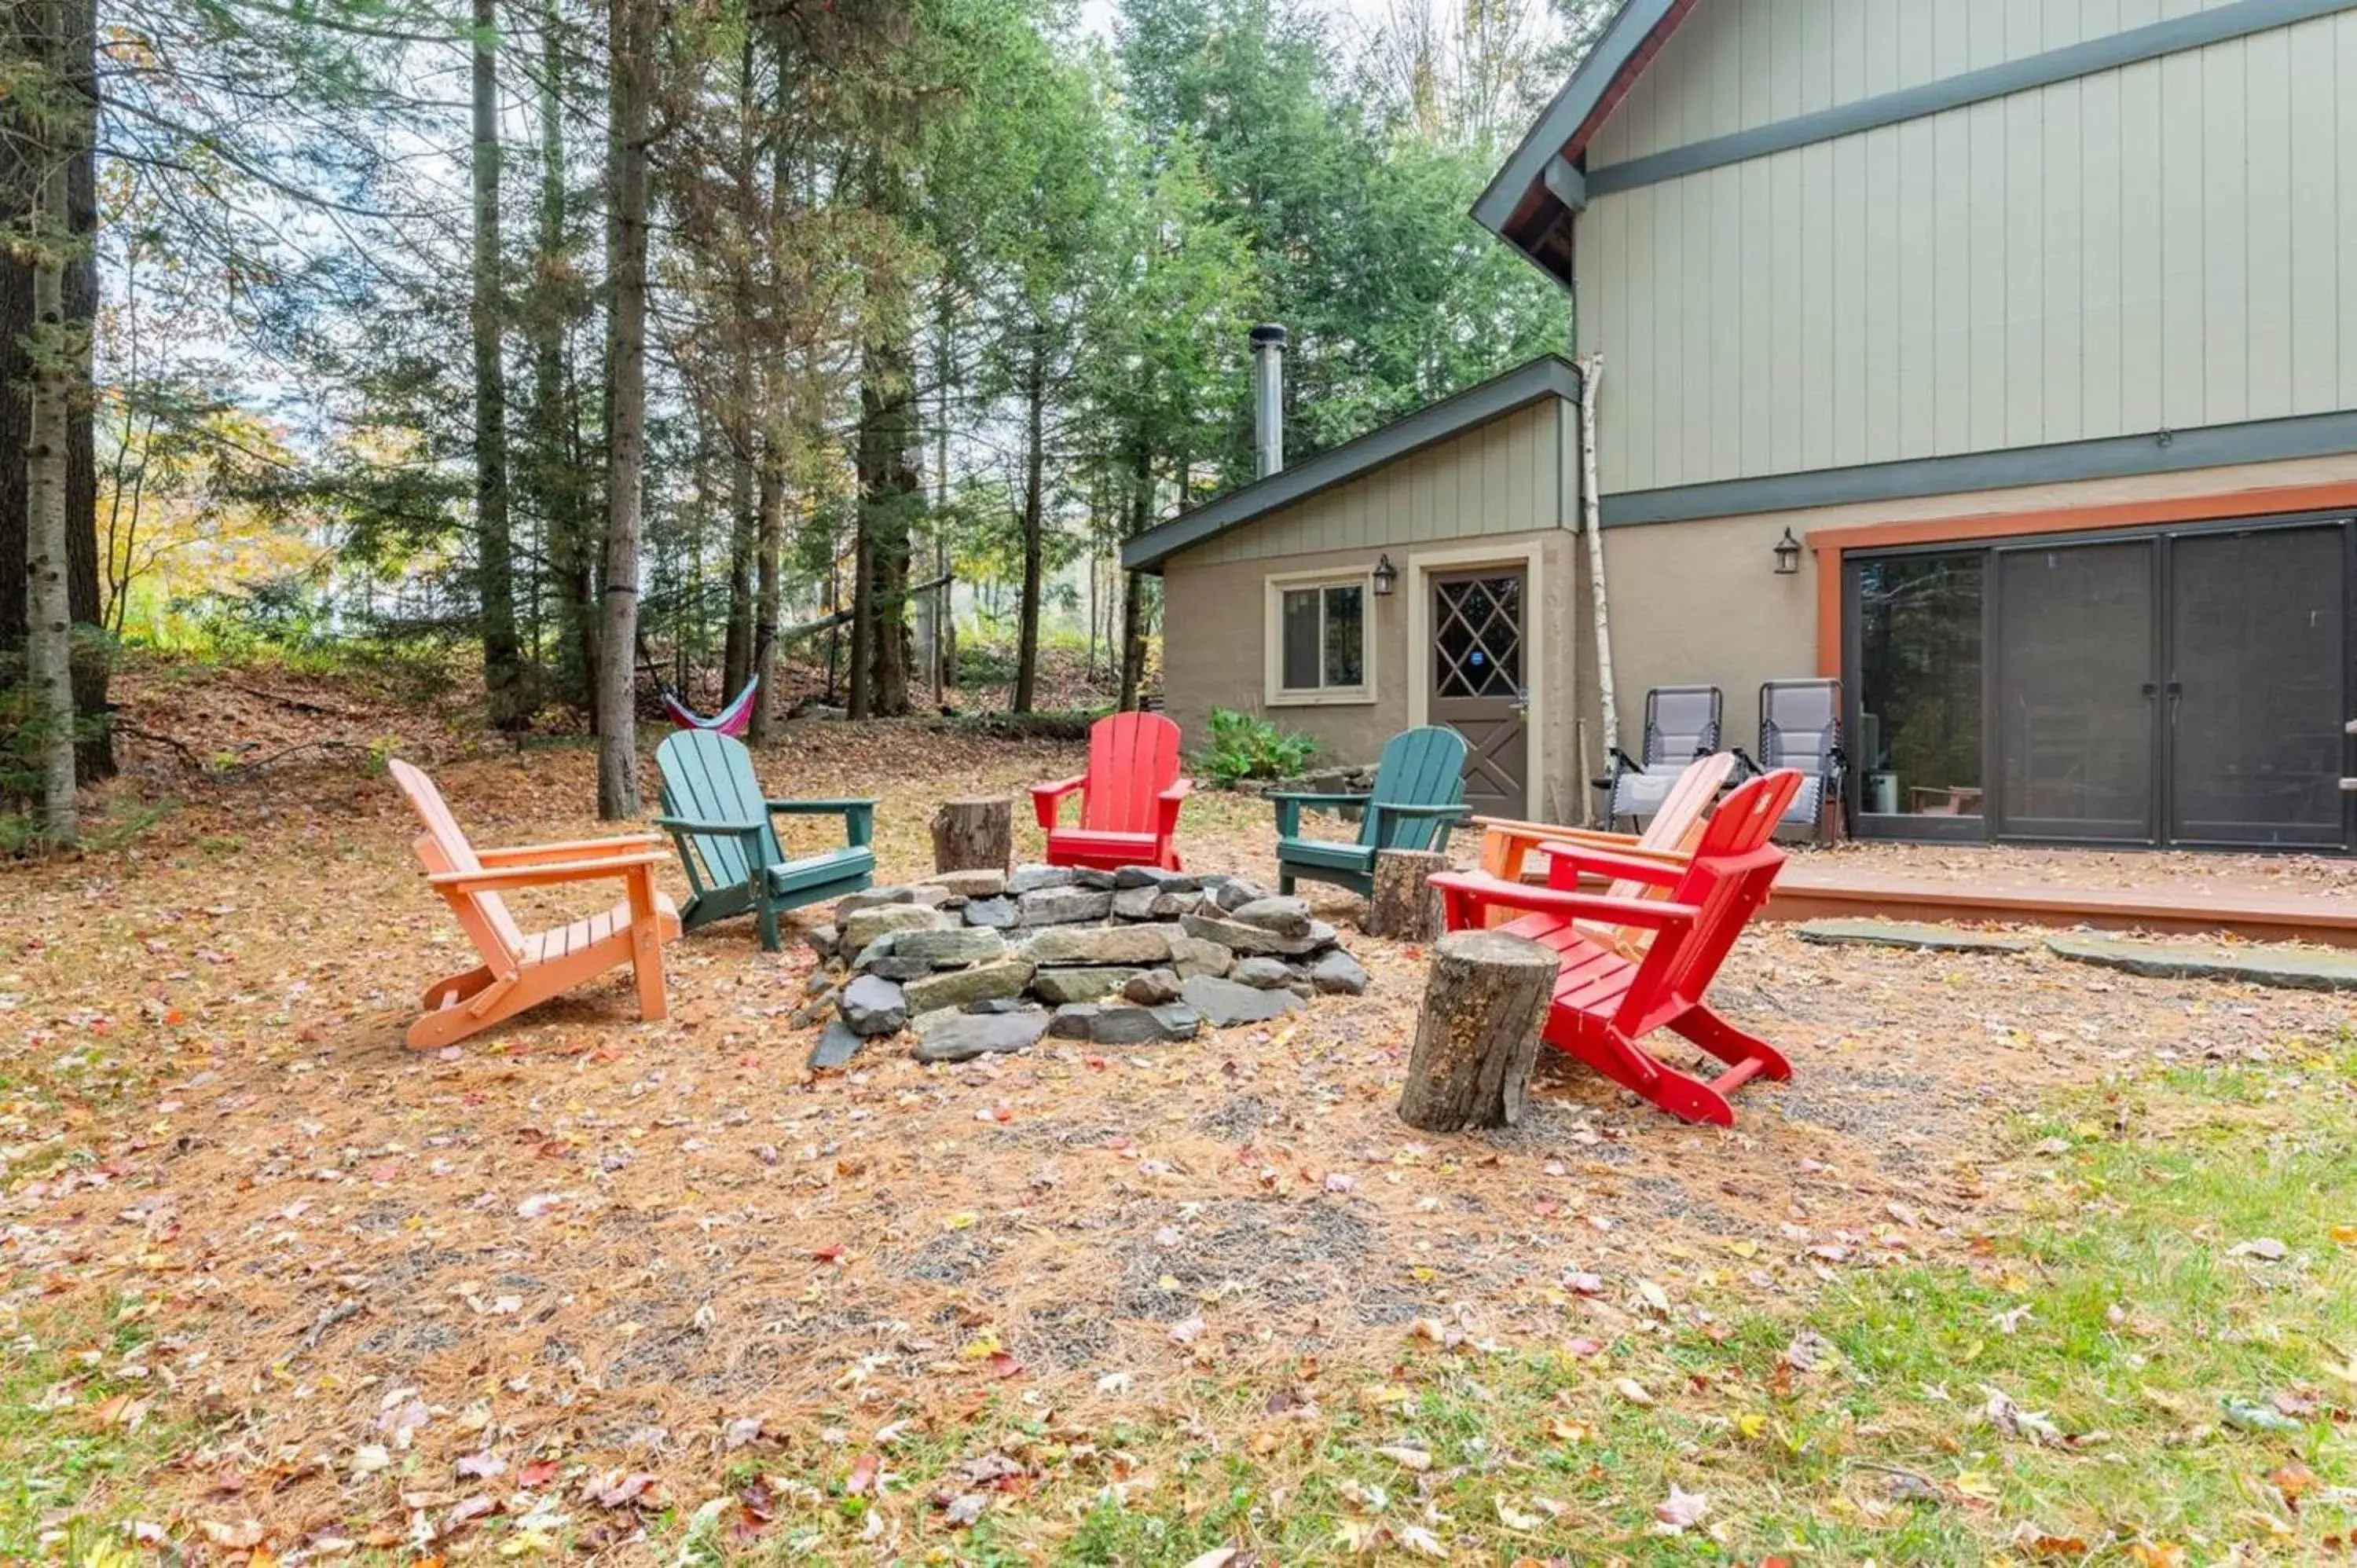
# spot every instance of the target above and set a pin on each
(524, 970)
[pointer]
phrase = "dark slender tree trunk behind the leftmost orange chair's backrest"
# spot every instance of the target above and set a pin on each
(506, 683)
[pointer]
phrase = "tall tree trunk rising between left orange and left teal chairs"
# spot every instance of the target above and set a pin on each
(633, 53)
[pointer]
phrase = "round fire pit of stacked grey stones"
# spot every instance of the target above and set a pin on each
(977, 961)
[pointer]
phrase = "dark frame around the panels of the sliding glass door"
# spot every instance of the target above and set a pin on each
(1983, 829)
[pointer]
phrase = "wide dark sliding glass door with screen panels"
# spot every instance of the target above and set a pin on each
(2172, 687)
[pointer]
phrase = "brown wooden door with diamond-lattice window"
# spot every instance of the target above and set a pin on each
(1477, 673)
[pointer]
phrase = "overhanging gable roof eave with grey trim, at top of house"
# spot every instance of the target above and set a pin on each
(1540, 185)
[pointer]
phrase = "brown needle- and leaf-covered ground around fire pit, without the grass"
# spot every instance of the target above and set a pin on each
(638, 1249)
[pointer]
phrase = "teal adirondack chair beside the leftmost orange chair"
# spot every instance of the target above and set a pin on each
(729, 845)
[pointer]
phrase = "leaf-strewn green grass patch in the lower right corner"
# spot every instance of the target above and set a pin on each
(2115, 1312)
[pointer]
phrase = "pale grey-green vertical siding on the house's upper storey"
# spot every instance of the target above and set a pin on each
(2120, 253)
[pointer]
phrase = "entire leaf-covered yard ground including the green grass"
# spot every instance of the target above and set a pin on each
(1974, 1284)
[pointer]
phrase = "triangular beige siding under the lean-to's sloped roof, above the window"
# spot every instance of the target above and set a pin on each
(1510, 475)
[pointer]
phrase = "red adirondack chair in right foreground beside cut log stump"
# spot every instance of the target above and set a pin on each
(1606, 1001)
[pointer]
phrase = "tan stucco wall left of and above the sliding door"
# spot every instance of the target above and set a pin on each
(1701, 600)
